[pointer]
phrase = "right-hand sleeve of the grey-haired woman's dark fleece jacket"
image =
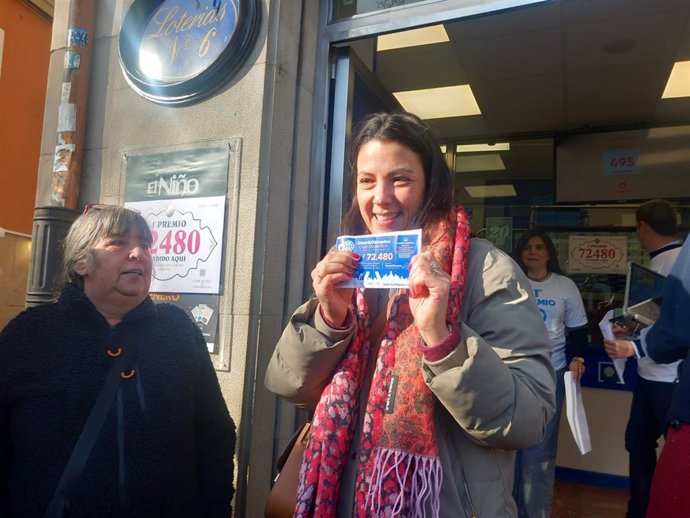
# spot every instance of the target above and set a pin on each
(215, 437)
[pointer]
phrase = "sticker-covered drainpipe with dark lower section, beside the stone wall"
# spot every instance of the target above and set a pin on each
(52, 222)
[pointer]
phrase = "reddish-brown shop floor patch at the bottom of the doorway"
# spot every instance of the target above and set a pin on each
(579, 501)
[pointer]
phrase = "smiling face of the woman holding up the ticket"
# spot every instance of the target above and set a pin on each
(390, 185)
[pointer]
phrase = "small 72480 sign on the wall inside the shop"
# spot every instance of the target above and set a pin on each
(597, 254)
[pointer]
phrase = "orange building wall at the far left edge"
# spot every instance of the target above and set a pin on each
(24, 51)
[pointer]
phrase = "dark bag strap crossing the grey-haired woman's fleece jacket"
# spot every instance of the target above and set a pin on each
(92, 427)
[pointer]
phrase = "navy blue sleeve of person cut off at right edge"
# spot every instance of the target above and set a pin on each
(668, 339)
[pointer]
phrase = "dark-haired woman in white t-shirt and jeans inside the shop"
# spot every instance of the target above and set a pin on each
(560, 304)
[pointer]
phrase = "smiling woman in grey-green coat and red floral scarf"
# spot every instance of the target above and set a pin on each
(419, 394)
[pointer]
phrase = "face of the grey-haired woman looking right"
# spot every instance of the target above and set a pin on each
(118, 271)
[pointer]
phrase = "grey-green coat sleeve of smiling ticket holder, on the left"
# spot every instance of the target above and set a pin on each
(306, 356)
